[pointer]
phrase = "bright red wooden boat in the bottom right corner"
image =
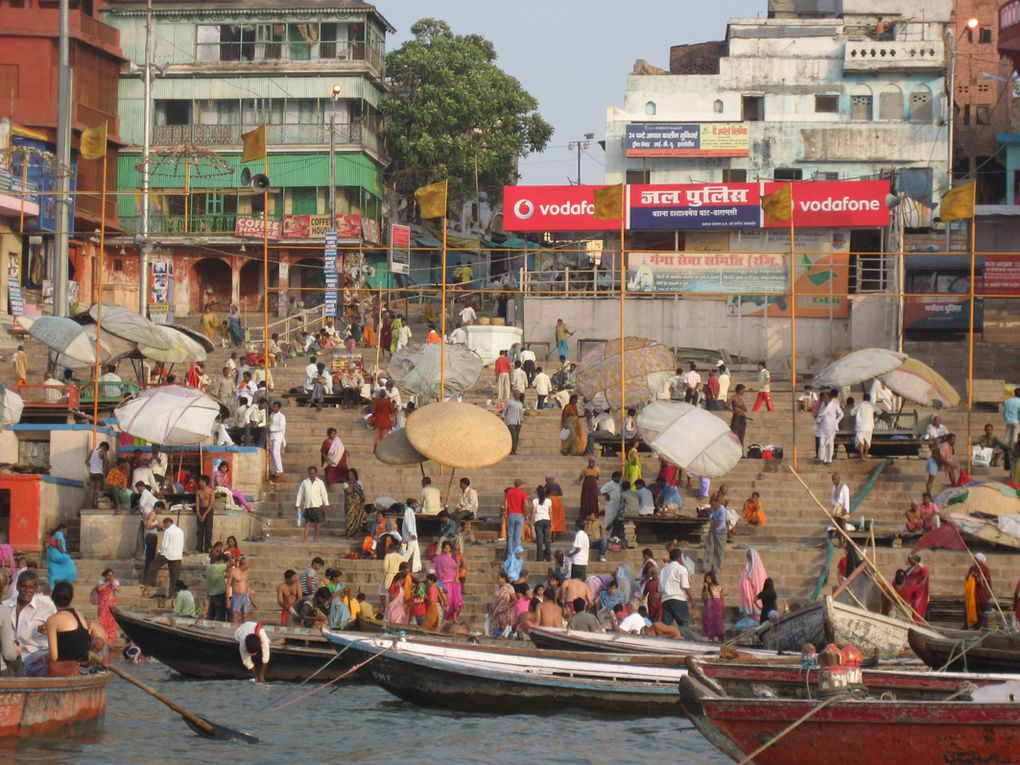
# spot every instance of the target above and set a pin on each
(876, 732)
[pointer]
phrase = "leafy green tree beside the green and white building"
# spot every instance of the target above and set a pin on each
(450, 106)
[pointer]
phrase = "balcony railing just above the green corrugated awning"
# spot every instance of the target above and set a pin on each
(318, 134)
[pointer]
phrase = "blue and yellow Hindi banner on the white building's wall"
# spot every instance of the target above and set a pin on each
(688, 140)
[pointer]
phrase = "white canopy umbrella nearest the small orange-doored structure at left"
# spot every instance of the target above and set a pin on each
(169, 415)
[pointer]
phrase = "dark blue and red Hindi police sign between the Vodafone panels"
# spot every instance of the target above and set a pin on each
(693, 207)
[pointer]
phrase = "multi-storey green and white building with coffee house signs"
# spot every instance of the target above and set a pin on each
(223, 68)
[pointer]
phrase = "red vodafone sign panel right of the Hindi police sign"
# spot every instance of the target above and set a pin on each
(837, 205)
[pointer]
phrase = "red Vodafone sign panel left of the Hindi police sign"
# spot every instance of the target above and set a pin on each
(553, 209)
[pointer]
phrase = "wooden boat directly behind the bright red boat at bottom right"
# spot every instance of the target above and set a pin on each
(742, 680)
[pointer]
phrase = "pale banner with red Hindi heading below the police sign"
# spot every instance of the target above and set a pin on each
(727, 274)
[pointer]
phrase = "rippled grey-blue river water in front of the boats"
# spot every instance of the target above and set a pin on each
(359, 724)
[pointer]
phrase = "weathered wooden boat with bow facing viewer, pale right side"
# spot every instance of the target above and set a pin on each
(878, 637)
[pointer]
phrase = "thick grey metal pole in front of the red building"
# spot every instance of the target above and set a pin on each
(64, 224)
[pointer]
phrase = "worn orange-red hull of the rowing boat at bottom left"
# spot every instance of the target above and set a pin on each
(53, 706)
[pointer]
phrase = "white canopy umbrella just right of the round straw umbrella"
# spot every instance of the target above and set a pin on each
(690, 438)
